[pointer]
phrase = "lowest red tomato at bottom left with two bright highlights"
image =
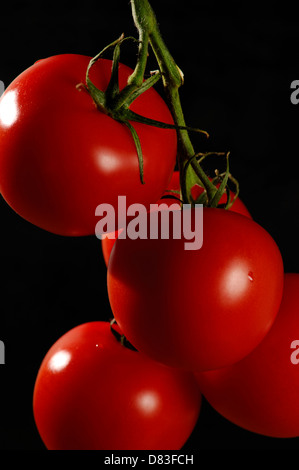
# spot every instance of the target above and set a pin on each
(92, 393)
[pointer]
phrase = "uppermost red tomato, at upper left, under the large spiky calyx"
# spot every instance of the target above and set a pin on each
(60, 157)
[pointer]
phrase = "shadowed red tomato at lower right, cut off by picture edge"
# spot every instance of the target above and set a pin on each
(260, 393)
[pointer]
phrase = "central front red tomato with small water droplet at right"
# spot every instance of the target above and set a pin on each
(198, 309)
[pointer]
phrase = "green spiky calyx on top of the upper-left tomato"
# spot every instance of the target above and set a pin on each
(116, 103)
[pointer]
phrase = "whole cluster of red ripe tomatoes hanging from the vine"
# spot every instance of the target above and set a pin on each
(216, 321)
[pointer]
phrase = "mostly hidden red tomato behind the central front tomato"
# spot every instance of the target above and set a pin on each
(174, 185)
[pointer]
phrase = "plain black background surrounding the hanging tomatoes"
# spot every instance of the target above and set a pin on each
(238, 65)
